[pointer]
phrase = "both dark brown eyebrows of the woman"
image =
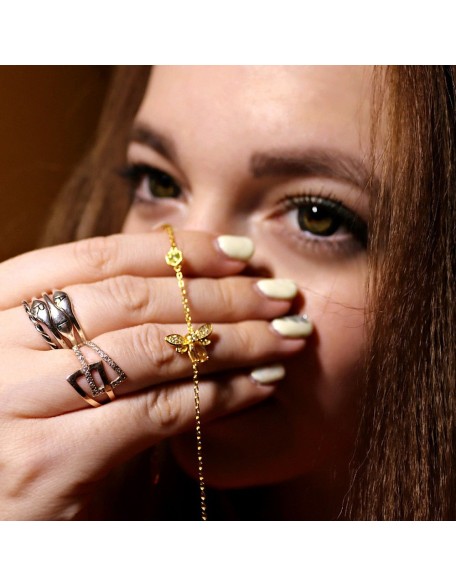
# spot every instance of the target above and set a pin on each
(311, 162)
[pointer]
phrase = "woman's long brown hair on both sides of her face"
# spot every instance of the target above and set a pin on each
(403, 467)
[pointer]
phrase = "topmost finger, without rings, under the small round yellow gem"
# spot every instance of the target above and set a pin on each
(102, 257)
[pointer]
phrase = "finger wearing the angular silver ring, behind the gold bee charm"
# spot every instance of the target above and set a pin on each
(40, 390)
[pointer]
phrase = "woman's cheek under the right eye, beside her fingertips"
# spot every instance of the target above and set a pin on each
(333, 296)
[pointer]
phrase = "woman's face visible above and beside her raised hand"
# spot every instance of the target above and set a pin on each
(277, 154)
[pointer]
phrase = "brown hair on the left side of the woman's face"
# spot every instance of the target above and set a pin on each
(94, 201)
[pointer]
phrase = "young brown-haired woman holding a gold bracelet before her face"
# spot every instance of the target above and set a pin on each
(315, 210)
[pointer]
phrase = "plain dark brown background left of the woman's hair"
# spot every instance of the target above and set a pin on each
(48, 115)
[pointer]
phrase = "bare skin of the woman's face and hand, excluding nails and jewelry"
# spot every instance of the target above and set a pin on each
(56, 452)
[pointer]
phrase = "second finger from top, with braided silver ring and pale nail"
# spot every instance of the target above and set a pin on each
(128, 301)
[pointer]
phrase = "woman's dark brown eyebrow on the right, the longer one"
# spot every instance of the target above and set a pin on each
(313, 163)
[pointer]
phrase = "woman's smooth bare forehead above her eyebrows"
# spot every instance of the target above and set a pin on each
(257, 107)
